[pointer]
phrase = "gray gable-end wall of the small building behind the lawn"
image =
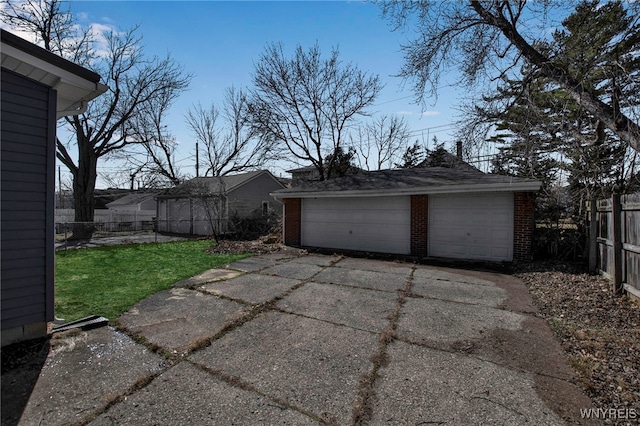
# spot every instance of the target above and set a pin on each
(246, 200)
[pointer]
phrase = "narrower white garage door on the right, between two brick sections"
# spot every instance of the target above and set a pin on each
(471, 226)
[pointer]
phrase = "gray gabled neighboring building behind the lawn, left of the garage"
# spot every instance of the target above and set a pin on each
(204, 204)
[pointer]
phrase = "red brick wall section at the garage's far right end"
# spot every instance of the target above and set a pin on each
(523, 225)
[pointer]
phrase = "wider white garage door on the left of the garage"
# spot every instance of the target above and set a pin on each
(377, 224)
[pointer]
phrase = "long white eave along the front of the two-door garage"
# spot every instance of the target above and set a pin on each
(529, 186)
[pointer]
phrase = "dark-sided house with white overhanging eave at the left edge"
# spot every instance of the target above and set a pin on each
(38, 88)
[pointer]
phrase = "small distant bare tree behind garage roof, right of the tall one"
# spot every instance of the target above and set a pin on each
(383, 141)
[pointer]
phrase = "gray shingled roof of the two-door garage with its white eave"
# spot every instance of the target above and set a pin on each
(430, 180)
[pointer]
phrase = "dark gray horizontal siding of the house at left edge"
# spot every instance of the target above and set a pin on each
(27, 197)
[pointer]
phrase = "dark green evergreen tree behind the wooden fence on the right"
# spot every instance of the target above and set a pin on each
(544, 132)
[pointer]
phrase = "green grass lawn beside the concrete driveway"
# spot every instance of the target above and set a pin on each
(109, 280)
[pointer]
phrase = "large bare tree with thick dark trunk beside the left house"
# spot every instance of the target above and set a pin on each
(134, 81)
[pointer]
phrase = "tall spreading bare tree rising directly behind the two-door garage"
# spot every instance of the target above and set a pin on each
(308, 103)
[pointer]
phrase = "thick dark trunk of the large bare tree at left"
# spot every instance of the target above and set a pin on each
(84, 183)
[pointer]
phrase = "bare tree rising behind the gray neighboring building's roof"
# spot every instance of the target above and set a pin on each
(233, 146)
